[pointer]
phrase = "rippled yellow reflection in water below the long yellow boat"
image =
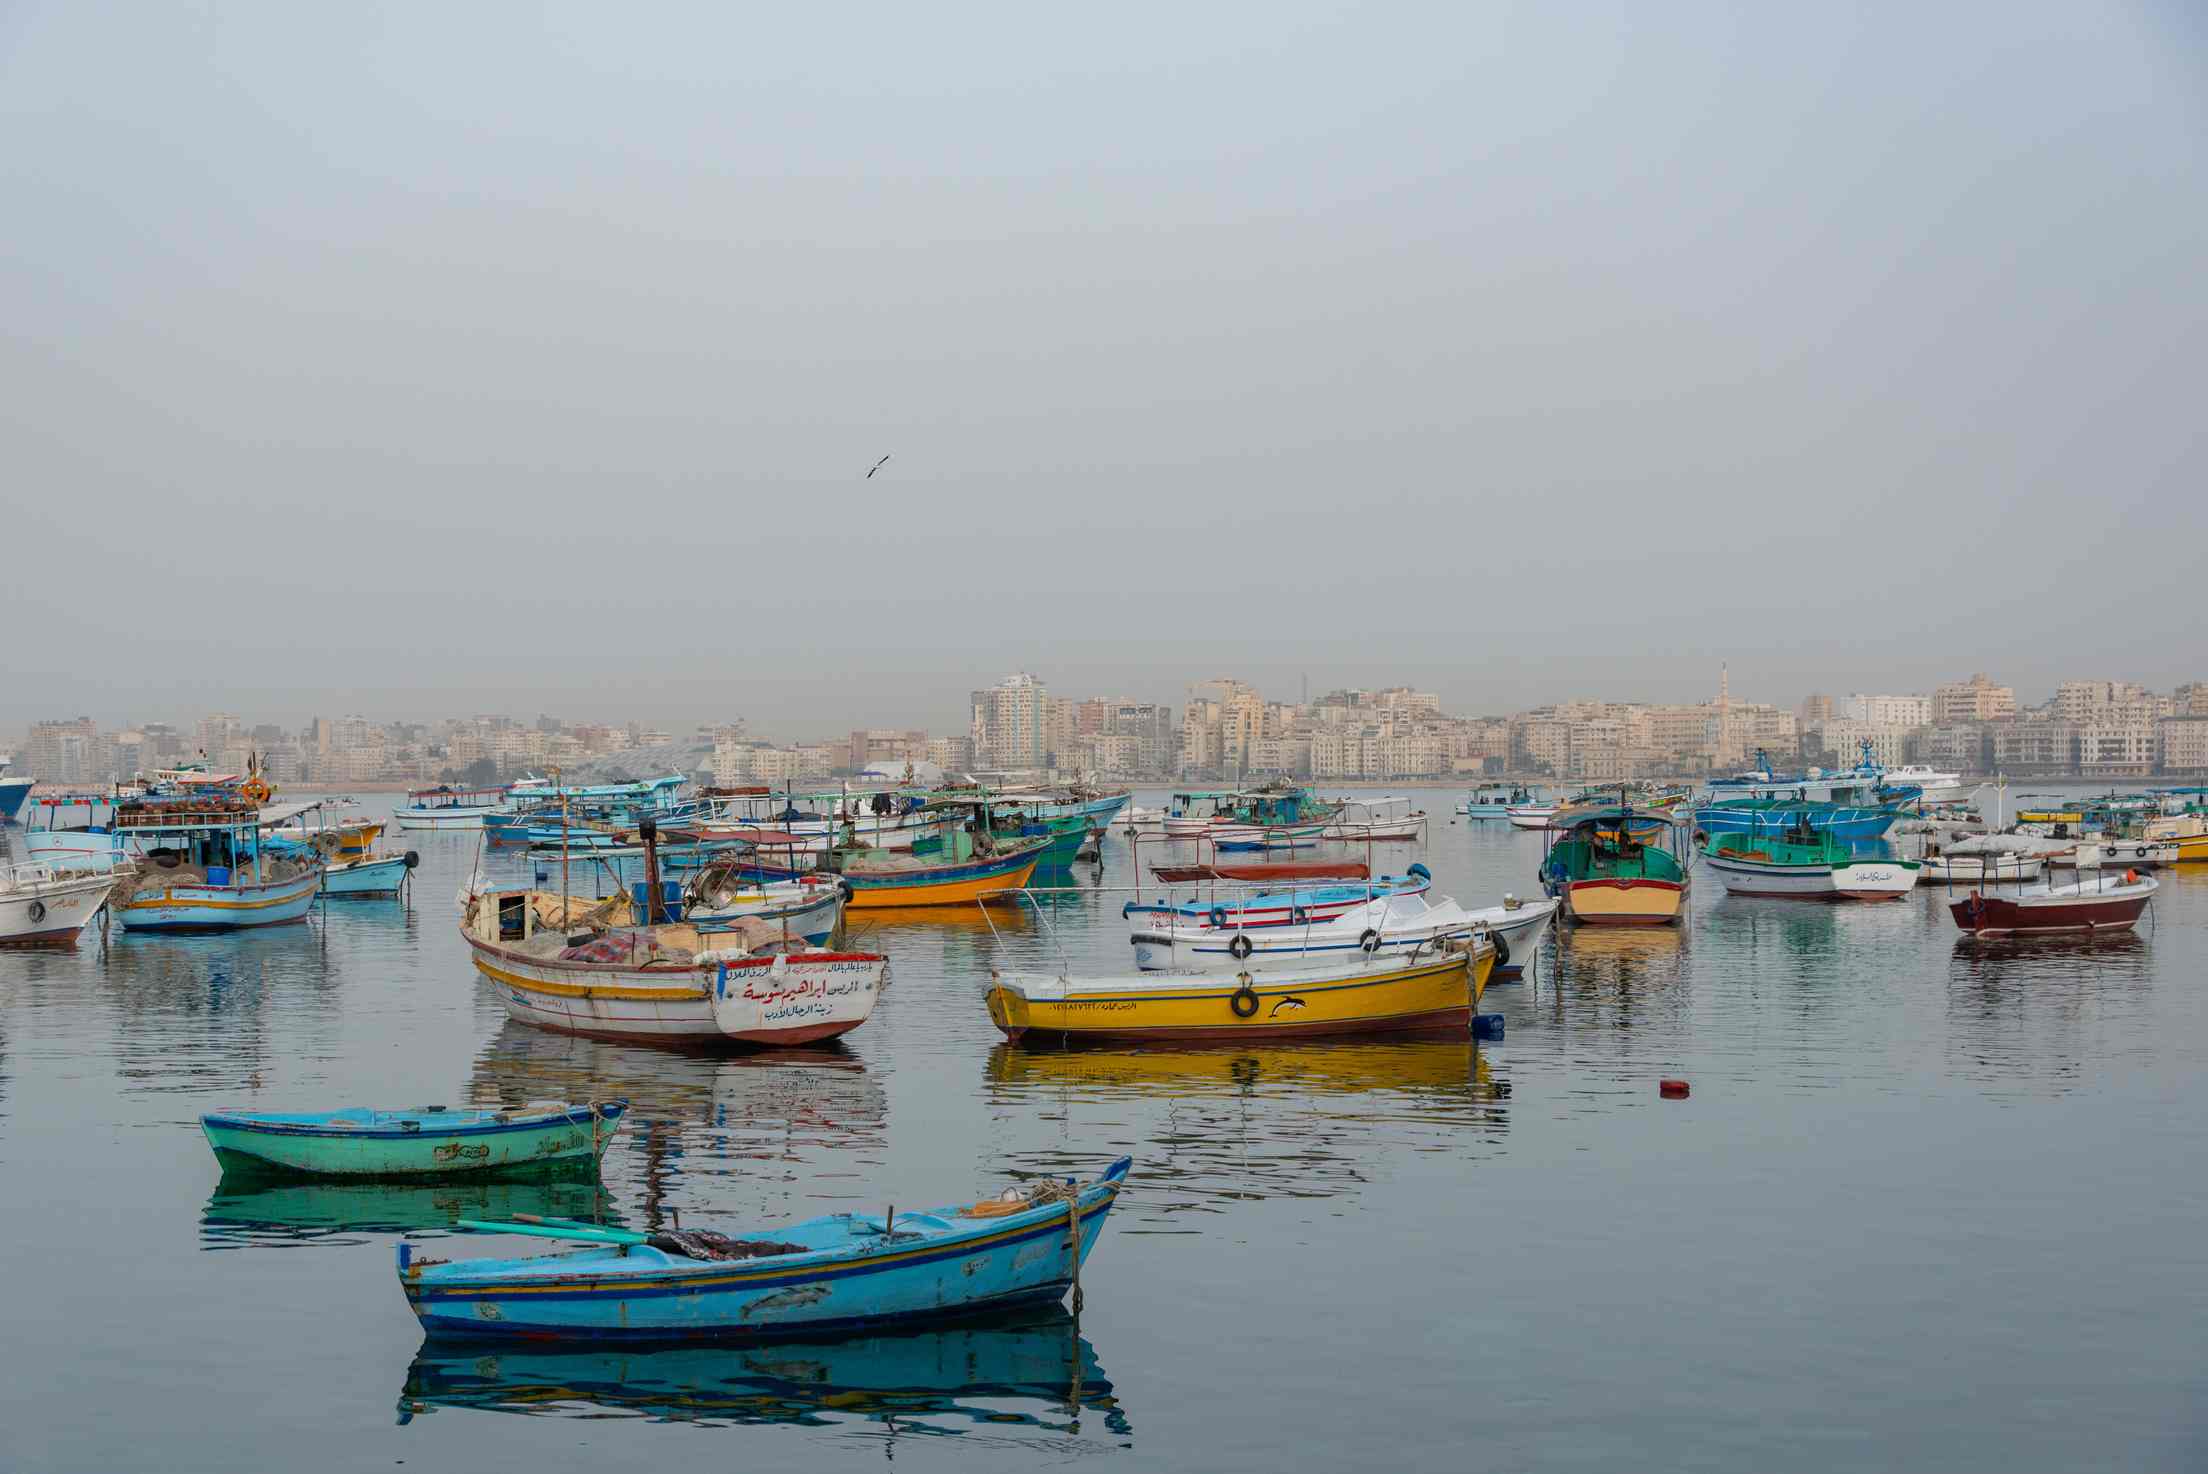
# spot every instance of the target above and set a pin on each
(1306, 1120)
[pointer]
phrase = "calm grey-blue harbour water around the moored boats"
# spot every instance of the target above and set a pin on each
(1933, 1204)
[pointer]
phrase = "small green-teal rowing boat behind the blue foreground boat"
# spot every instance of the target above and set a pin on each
(425, 1142)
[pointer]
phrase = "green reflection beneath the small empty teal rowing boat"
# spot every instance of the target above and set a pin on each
(266, 1210)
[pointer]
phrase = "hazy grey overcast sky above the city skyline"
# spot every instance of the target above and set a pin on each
(445, 359)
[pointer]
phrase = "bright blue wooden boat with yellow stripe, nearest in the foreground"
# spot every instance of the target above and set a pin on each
(847, 1272)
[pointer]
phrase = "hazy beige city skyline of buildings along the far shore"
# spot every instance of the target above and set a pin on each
(1224, 729)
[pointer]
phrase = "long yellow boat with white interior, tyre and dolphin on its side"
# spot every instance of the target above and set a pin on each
(1372, 996)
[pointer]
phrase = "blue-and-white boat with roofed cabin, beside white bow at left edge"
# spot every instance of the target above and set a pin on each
(206, 868)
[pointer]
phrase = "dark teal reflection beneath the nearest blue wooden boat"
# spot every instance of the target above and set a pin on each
(1034, 1371)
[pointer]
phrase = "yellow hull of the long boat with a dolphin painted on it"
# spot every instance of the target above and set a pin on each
(1427, 996)
